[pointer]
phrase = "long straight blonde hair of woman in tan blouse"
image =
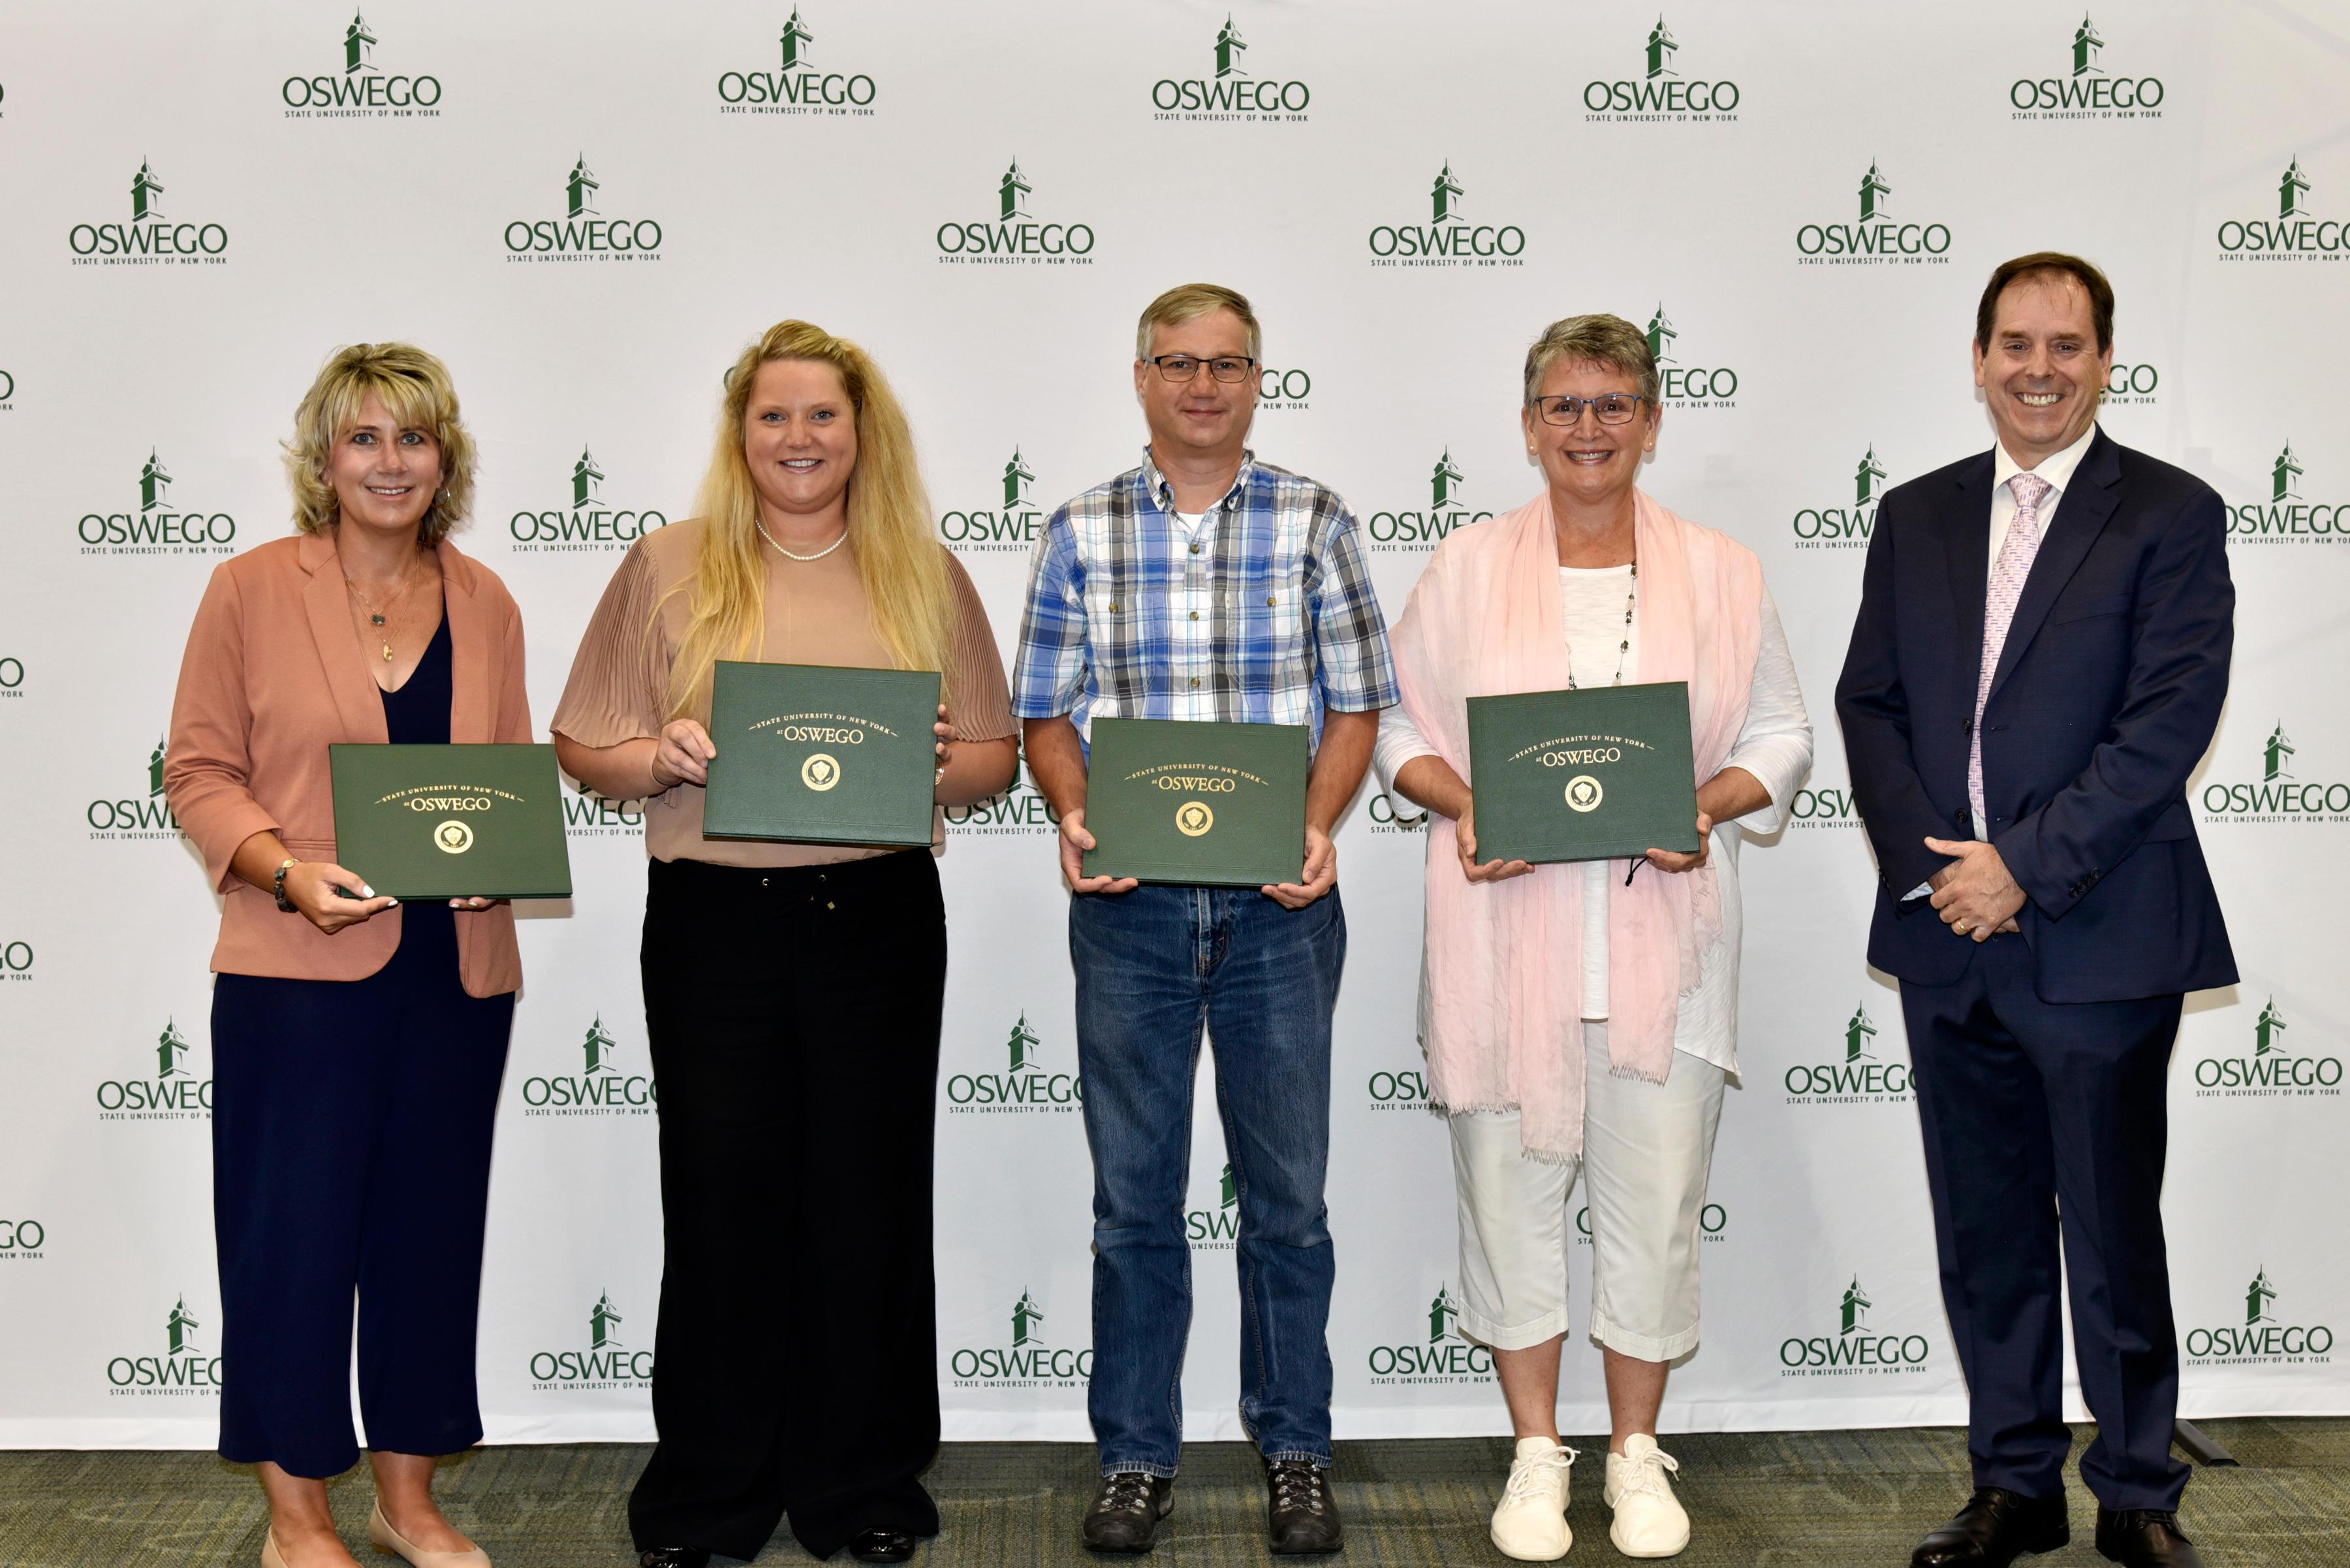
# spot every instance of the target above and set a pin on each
(901, 563)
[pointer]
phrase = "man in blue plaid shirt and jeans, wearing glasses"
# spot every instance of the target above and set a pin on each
(1204, 587)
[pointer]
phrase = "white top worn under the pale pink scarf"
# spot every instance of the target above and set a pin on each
(1775, 746)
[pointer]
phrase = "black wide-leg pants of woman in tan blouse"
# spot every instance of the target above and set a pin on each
(793, 1021)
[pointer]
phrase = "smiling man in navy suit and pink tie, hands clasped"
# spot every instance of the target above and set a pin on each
(2039, 666)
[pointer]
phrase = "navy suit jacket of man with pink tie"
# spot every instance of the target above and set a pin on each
(2104, 699)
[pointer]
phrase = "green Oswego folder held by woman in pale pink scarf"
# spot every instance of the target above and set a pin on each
(1597, 775)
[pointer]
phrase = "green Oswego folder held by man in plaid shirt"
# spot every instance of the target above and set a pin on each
(1202, 805)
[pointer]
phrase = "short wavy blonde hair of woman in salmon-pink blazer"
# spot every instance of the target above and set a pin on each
(419, 396)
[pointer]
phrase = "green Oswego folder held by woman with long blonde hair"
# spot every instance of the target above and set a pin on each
(821, 753)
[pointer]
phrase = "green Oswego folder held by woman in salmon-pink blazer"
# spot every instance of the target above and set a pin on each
(452, 822)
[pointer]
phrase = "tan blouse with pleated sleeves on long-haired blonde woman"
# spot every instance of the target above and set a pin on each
(817, 615)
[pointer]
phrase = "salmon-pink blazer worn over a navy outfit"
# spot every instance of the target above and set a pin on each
(271, 678)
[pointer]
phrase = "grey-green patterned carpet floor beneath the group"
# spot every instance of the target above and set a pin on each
(1759, 1501)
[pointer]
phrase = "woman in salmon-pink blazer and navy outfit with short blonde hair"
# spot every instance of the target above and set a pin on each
(358, 1045)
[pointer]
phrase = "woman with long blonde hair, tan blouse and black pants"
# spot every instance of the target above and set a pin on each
(793, 993)
